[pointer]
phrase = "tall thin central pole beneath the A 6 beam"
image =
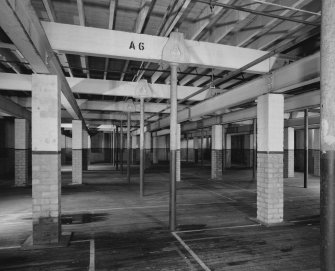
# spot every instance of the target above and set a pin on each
(173, 147)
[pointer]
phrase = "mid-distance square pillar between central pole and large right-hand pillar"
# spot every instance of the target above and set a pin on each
(217, 152)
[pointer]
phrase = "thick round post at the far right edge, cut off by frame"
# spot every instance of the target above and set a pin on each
(327, 201)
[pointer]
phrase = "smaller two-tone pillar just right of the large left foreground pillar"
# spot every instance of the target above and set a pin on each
(77, 152)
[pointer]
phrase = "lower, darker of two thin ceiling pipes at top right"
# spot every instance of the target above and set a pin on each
(271, 15)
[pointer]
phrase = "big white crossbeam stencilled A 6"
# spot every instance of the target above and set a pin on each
(75, 39)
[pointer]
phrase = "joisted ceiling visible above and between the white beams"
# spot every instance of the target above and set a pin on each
(261, 25)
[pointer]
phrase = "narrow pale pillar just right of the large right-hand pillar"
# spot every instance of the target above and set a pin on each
(289, 152)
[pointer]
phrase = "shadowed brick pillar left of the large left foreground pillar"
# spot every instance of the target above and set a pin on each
(22, 144)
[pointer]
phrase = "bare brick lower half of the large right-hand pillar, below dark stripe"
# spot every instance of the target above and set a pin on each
(270, 187)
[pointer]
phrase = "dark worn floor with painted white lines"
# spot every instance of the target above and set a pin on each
(113, 229)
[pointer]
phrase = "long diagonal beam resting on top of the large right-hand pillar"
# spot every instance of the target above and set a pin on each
(280, 80)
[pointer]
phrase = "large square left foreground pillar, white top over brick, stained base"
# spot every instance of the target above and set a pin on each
(46, 160)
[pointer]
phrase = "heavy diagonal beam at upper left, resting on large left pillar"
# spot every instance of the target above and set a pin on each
(20, 22)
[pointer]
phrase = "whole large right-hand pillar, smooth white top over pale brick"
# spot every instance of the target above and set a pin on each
(270, 138)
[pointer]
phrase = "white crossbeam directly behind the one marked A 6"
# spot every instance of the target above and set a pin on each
(21, 82)
